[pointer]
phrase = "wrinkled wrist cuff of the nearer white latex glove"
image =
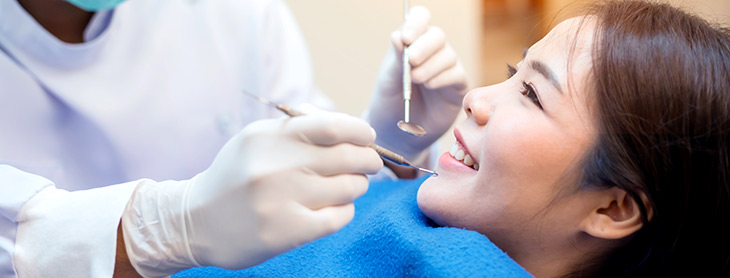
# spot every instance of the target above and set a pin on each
(154, 227)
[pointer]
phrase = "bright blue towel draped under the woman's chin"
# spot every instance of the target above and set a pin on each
(389, 237)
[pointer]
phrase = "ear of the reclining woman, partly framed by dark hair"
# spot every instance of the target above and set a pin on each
(616, 215)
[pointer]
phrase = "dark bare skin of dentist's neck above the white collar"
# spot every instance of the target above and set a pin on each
(62, 19)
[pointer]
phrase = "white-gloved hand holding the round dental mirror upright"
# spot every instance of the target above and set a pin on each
(439, 84)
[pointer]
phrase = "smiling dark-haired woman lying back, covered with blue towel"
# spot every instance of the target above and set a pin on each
(605, 153)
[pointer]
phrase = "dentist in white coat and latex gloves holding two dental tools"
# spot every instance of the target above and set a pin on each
(128, 148)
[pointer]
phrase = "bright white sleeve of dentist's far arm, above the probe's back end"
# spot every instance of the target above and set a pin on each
(286, 64)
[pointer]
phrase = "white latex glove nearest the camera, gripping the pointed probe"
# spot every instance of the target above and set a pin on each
(276, 185)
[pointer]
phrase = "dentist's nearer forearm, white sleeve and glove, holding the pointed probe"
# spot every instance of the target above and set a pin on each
(274, 186)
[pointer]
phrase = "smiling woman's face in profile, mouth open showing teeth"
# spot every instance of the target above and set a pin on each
(526, 135)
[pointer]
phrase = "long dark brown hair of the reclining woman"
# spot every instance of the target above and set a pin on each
(661, 87)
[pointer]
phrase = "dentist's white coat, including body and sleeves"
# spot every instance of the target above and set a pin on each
(153, 93)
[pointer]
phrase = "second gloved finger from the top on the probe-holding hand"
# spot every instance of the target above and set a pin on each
(345, 159)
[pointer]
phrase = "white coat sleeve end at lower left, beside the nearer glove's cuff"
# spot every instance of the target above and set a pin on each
(49, 232)
